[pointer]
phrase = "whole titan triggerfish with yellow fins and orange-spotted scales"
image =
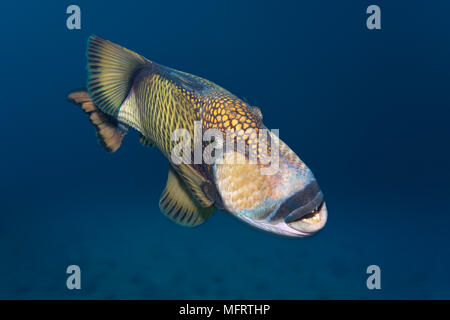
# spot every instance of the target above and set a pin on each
(254, 176)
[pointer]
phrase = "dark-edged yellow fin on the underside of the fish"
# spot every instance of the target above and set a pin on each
(178, 205)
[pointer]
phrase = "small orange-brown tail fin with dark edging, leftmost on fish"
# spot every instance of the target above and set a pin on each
(110, 132)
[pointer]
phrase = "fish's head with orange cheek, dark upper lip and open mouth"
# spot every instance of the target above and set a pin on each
(281, 197)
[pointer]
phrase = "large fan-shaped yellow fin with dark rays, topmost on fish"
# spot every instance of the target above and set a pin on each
(111, 68)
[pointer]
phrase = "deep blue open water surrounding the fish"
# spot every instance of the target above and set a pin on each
(367, 110)
